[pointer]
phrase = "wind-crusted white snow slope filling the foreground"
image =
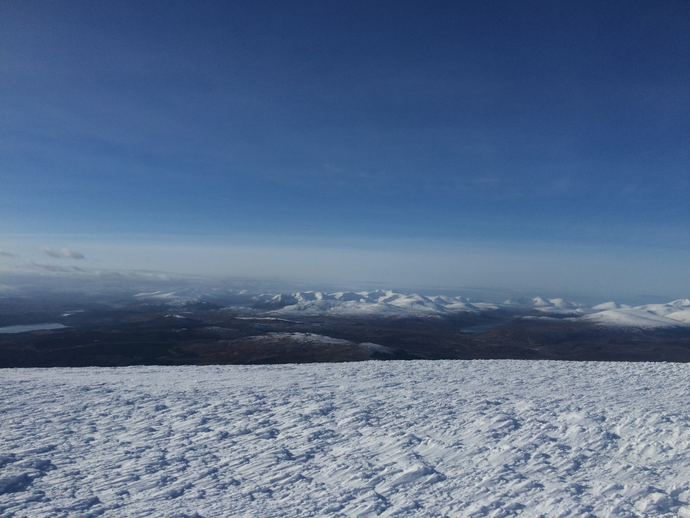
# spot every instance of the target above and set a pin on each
(445, 438)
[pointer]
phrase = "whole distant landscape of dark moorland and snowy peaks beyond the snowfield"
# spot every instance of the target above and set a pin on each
(209, 325)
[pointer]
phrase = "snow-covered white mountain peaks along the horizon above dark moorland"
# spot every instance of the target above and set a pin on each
(391, 304)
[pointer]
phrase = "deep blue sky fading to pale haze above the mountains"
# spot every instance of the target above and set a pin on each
(537, 145)
